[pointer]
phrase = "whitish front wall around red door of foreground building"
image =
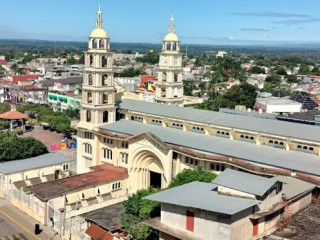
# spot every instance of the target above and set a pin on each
(207, 225)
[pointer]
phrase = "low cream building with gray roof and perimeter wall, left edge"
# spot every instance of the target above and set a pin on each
(16, 176)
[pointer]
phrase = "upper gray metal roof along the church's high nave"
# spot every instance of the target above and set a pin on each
(269, 126)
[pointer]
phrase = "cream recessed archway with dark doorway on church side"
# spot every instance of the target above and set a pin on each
(147, 170)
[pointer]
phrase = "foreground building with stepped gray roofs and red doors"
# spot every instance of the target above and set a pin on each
(235, 206)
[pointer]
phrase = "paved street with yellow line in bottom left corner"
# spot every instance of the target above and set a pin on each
(25, 223)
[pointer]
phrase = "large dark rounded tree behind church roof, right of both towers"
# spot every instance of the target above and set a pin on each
(243, 94)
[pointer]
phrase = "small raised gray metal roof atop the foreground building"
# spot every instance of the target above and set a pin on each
(244, 182)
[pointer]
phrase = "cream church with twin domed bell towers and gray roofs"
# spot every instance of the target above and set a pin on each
(156, 141)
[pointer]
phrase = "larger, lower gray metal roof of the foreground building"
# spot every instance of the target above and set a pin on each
(202, 196)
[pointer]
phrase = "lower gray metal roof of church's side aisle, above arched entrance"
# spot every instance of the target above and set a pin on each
(262, 154)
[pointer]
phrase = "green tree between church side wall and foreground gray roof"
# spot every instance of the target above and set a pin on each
(188, 175)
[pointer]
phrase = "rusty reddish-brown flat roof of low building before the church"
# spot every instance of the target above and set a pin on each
(101, 174)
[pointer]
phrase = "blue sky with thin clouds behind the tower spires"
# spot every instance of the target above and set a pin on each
(214, 22)
